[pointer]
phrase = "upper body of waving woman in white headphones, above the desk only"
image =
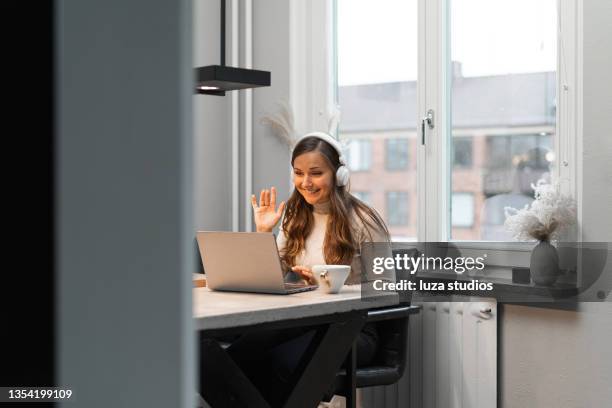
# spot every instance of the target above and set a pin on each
(323, 222)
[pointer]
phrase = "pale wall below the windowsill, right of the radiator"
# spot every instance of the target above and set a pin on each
(556, 358)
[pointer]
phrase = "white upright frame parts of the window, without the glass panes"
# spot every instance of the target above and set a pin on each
(313, 24)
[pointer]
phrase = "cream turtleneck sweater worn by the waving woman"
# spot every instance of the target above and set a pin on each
(313, 253)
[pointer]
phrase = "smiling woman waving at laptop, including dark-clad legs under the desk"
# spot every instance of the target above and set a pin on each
(322, 224)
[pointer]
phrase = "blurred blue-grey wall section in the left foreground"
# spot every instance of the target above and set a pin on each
(124, 202)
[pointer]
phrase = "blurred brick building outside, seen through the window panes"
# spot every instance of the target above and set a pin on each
(502, 141)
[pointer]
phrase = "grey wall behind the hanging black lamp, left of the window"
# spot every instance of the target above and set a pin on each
(213, 115)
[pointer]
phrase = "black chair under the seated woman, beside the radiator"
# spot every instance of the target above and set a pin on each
(389, 364)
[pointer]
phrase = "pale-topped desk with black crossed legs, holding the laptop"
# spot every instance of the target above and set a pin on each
(340, 318)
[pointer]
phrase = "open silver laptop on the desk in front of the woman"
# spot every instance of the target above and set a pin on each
(244, 262)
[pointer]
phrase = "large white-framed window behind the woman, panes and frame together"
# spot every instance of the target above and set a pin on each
(494, 91)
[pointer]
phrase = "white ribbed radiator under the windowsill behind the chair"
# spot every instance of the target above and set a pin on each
(452, 360)
